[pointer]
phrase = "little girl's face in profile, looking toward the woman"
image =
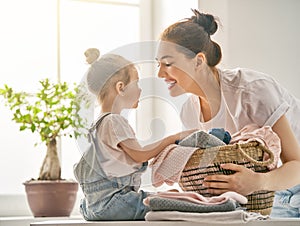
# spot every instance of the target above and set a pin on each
(132, 91)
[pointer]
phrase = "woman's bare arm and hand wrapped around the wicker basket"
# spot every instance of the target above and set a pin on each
(245, 181)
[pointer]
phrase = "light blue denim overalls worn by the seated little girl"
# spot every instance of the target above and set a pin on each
(106, 198)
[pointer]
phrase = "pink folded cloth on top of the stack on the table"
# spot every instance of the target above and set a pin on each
(196, 198)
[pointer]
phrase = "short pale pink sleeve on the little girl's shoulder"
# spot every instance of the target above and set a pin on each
(116, 129)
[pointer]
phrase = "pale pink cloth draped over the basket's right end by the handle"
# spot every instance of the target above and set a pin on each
(264, 135)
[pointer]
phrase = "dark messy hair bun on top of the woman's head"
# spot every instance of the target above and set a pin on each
(207, 21)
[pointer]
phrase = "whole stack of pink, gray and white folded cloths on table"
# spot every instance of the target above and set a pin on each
(191, 206)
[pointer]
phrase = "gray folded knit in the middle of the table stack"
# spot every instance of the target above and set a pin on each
(167, 204)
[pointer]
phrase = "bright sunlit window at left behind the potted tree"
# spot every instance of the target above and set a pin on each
(30, 51)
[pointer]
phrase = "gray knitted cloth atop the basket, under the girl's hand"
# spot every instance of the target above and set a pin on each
(201, 139)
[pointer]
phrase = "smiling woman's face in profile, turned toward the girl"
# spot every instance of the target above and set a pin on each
(176, 69)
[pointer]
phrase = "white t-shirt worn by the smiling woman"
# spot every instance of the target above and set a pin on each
(247, 97)
